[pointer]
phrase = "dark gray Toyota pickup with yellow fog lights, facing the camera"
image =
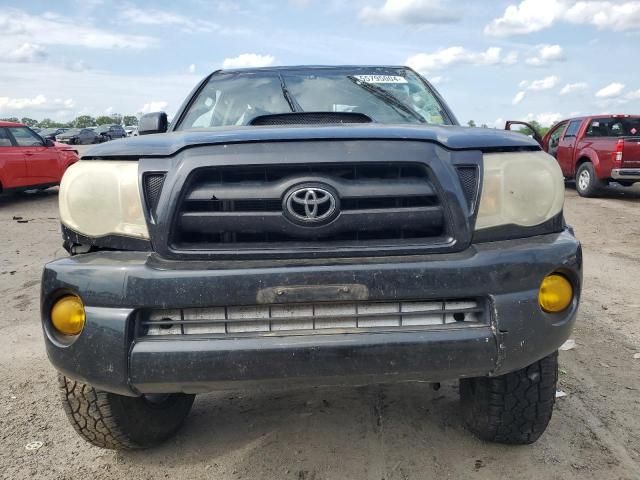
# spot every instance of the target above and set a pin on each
(309, 225)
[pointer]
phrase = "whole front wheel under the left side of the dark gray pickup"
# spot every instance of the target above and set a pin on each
(118, 422)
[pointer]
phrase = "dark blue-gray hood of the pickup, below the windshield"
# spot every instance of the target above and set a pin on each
(451, 137)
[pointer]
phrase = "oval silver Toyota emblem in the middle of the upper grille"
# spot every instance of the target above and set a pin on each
(311, 204)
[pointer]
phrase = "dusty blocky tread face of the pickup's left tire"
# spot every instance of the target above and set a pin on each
(89, 412)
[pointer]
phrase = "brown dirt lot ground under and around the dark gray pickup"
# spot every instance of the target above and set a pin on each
(382, 432)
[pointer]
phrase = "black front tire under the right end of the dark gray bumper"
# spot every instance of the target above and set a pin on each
(514, 408)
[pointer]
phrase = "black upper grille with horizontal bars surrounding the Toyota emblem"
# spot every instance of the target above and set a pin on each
(242, 207)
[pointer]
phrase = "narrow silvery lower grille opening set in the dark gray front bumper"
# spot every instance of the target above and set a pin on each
(309, 318)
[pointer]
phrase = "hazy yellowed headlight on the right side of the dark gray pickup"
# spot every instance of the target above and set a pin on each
(521, 188)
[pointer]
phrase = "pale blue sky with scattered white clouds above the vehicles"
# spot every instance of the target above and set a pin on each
(492, 60)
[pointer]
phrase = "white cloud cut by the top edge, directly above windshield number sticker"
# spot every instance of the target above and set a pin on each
(412, 12)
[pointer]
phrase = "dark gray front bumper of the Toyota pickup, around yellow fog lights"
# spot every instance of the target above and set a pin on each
(115, 285)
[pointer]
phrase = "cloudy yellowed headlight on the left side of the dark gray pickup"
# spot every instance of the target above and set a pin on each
(99, 198)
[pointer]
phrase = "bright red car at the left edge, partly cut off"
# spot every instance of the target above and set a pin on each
(27, 161)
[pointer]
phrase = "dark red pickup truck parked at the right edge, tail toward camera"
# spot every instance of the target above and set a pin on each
(594, 150)
